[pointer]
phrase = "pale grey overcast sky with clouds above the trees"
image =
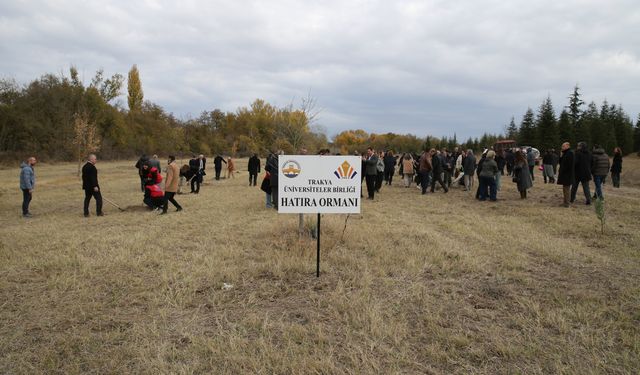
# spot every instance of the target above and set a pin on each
(421, 67)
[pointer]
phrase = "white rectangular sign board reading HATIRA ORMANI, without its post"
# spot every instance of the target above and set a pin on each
(319, 184)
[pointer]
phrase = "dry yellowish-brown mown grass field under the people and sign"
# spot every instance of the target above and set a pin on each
(435, 284)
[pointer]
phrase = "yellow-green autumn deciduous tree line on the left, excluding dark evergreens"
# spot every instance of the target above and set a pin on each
(59, 118)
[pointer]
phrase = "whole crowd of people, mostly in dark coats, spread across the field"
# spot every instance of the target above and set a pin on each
(431, 169)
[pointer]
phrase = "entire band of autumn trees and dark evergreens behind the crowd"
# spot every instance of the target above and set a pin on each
(60, 118)
